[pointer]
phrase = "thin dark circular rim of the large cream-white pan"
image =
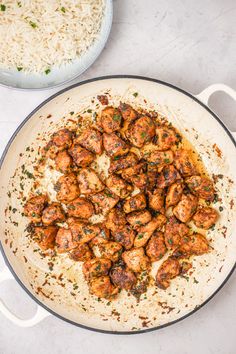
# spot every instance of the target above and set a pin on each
(7, 262)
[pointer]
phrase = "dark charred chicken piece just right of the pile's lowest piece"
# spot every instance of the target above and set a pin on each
(122, 277)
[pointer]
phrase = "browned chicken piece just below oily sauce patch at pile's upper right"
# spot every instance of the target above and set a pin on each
(183, 162)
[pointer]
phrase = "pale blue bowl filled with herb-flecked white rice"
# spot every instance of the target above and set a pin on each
(48, 43)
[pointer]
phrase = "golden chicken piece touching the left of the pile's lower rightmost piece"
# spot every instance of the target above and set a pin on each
(186, 207)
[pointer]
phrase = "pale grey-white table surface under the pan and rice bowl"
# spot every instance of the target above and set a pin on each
(190, 44)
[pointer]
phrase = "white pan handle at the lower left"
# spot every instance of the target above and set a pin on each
(40, 314)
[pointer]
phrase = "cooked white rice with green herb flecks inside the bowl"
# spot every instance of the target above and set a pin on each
(36, 35)
